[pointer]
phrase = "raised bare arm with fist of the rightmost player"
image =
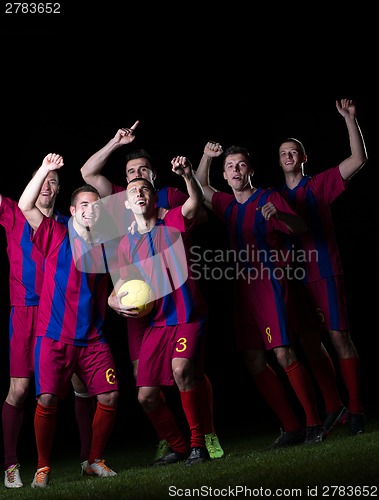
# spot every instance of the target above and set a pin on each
(358, 157)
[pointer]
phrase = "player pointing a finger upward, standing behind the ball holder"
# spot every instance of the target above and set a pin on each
(139, 164)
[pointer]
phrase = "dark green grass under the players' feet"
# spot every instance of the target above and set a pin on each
(341, 460)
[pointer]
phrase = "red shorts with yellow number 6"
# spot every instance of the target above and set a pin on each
(56, 362)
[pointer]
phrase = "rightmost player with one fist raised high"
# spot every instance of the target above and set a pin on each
(312, 196)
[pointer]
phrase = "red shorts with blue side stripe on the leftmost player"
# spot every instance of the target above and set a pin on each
(22, 335)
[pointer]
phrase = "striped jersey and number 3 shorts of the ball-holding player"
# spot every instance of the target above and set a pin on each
(176, 325)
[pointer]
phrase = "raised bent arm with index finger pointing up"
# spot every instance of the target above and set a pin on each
(91, 170)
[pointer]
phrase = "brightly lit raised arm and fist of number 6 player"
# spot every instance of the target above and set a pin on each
(27, 201)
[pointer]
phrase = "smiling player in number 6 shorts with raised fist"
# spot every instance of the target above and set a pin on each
(69, 331)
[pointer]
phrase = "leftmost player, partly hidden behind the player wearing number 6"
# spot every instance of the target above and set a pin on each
(26, 271)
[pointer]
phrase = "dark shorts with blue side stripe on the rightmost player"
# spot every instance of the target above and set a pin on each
(328, 297)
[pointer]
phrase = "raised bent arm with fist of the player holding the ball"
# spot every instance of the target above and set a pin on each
(183, 167)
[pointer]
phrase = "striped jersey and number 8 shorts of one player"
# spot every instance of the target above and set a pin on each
(262, 300)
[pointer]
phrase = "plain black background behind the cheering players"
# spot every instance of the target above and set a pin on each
(69, 82)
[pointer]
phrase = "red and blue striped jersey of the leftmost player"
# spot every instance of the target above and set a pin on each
(26, 262)
